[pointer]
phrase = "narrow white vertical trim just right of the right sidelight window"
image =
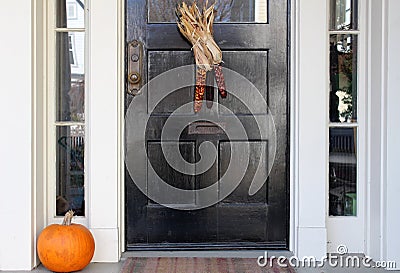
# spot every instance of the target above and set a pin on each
(377, 45)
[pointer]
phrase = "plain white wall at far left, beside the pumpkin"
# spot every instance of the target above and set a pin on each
(16, 237)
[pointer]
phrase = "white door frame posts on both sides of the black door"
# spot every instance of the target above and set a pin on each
(106, 162)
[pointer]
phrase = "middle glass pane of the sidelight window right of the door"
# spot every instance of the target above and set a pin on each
(343, 78)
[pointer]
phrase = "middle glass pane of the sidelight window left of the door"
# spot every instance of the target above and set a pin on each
(70, 94)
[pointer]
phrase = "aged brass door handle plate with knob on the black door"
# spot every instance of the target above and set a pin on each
(135, 66)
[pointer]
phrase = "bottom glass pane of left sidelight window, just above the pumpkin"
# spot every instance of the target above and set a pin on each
(70, 169)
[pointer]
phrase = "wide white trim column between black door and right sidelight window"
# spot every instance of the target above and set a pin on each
(311, 127)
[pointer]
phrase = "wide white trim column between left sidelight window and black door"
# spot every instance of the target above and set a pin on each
(104, 147)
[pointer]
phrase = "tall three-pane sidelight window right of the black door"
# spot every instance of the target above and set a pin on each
(343, 107)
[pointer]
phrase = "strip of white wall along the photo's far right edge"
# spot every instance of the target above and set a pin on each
(393, 135)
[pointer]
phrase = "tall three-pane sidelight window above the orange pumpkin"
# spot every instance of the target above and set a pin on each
(67, 92)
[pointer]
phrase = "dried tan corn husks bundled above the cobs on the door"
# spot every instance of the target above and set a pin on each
(197, 26)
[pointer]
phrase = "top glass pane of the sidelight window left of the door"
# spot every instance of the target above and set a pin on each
(70, 13)
